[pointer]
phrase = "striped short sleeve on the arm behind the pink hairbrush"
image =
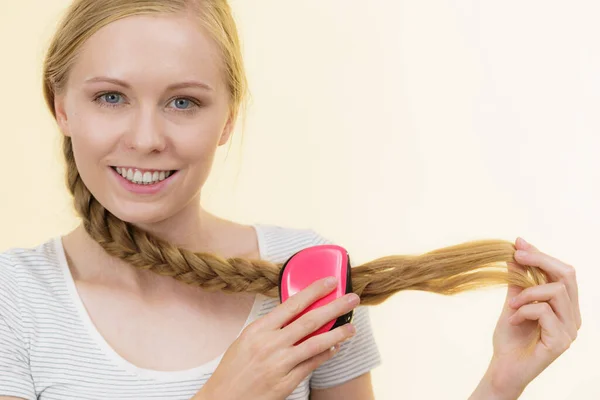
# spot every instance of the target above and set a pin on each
(357, 355)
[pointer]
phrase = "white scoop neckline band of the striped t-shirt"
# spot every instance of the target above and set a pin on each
(116, 358)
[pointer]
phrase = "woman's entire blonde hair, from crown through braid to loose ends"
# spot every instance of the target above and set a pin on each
(447, 271)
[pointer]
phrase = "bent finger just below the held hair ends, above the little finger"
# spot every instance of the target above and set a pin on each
(556, 295)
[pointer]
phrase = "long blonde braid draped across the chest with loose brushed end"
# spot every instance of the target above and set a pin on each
(447, 271)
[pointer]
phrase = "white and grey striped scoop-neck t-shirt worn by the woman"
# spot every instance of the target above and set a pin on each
(50, 349)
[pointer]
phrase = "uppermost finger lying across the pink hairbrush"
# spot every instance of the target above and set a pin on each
(294, 305)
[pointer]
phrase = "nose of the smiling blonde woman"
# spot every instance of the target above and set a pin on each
(146, 133)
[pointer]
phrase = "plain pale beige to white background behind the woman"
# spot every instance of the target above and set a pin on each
(390, 127)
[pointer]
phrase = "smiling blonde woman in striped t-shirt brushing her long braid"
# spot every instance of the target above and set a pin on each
(144, 92)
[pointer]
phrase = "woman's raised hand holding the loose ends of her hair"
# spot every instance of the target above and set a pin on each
(554, 306)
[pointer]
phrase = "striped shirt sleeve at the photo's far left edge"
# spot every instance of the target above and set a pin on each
(15, 375)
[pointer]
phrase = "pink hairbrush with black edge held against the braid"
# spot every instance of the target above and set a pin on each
(309, 265)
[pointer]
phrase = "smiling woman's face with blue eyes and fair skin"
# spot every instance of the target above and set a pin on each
(146, 107)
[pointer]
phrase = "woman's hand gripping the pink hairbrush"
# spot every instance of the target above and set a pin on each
(263, 363)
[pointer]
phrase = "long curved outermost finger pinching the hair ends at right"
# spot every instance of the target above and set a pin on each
(557, 271)
